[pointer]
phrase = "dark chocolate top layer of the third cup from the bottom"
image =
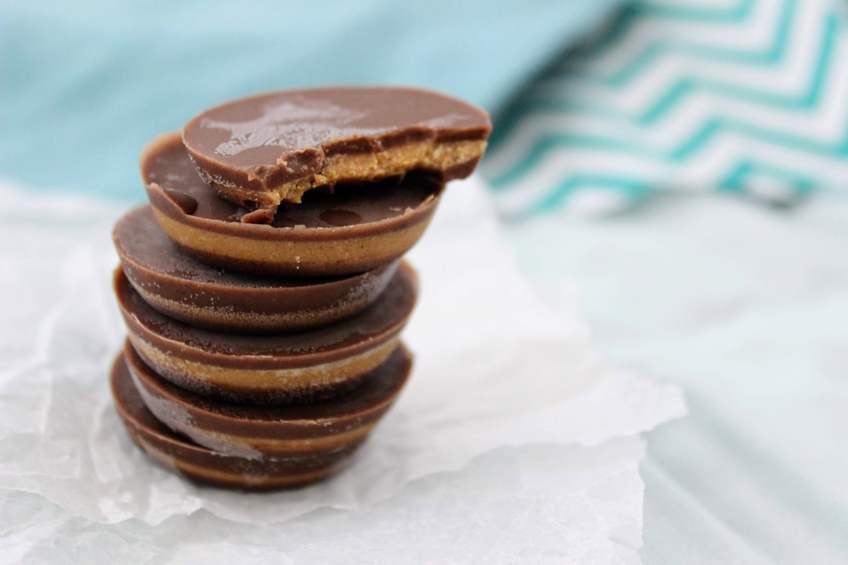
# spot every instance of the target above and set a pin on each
(388, 314)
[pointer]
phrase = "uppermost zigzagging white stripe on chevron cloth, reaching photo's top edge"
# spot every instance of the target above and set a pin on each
(750, 34)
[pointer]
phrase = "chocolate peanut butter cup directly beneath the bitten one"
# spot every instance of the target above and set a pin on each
(341, 231)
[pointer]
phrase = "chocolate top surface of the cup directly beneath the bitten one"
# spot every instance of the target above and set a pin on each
(166, 164)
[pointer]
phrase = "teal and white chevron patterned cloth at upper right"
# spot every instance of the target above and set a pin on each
(748, 97)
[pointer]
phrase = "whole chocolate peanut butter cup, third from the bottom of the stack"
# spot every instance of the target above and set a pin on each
(269, 369)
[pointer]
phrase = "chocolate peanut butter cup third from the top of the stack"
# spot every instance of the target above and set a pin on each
(182, 287)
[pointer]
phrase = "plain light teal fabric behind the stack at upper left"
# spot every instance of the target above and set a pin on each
(83, 85)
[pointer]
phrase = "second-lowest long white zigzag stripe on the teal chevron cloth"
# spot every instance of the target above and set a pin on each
(824, 123)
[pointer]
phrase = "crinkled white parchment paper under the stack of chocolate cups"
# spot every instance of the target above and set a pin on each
(513, 441)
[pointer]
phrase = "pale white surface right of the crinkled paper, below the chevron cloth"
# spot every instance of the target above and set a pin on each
(746, 307)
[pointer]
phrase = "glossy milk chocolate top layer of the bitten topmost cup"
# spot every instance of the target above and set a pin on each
(269, 129)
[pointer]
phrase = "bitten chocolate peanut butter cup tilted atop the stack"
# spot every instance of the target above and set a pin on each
(271, 148)
